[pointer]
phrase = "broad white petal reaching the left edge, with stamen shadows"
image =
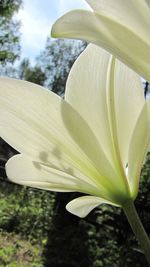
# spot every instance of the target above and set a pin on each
(32, 121)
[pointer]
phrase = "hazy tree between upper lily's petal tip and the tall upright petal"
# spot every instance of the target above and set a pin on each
(56, 61)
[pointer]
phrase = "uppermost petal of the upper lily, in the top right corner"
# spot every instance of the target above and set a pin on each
(133, 14)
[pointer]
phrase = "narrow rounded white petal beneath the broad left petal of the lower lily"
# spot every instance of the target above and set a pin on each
(22, 170)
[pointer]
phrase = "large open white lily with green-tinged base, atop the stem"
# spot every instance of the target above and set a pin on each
(94, 141)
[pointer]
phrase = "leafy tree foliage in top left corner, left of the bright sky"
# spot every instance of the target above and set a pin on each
(9, 31)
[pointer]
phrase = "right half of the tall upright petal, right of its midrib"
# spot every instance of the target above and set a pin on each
(129, 100)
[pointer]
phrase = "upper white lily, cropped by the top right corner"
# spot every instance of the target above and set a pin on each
(120, 27)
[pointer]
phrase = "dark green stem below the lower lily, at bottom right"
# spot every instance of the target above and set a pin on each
(137, 228)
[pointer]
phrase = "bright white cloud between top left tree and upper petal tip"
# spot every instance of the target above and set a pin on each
(34, 29)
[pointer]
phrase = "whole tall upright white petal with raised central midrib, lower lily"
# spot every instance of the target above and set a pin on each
(90, 84)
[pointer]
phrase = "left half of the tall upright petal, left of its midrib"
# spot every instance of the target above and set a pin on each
(86, 92)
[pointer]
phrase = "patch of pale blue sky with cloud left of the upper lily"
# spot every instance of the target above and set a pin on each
(37, 17)
